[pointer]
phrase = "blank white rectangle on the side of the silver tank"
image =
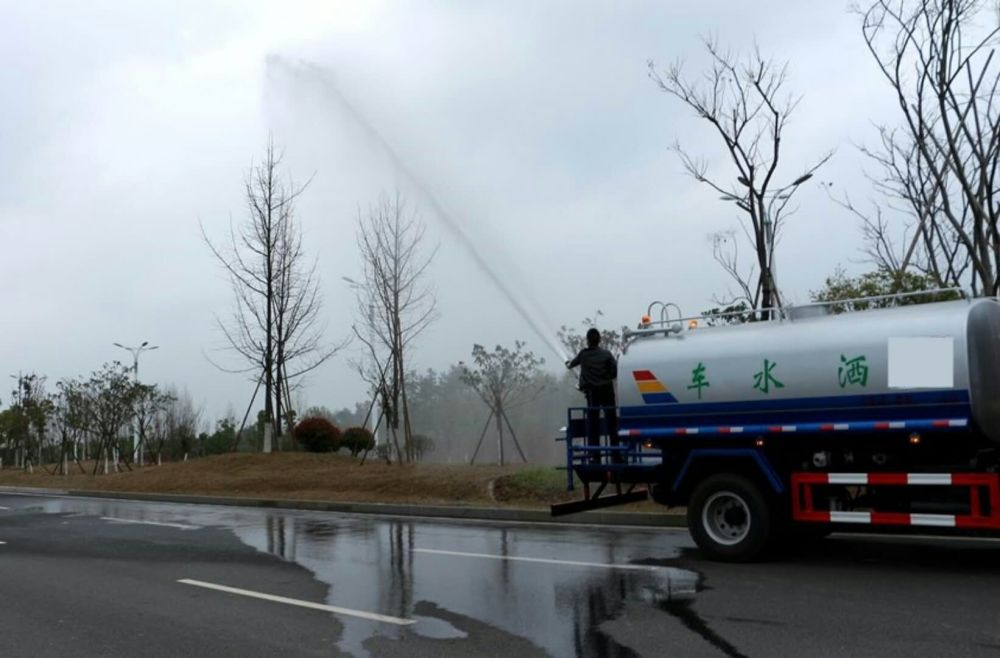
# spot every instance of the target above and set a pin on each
(922, 362)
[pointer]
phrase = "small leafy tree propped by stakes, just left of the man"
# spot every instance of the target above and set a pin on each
(503, 379)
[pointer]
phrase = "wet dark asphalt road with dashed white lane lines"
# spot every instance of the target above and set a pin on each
(107, 578)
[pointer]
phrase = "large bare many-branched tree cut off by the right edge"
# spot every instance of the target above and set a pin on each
(939, 166)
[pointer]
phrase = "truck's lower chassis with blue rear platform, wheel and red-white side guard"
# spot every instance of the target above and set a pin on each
(749, 487)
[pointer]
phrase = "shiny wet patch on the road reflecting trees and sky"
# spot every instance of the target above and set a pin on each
(453, 578)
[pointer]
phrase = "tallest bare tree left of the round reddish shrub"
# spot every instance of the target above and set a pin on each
(275, 327)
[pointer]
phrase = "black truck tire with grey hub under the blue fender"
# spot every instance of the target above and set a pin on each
(729, 518)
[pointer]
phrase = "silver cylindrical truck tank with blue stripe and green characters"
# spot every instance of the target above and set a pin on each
(925, 361)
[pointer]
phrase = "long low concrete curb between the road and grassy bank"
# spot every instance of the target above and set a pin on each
(517, 515)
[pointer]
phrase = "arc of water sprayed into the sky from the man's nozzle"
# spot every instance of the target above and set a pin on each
(311, 72)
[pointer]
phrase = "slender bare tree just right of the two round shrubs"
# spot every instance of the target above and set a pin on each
(395, 305)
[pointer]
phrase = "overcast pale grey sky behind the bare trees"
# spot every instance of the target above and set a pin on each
(534, 124)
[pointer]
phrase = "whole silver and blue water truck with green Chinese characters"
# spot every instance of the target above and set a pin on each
(810, 421)
